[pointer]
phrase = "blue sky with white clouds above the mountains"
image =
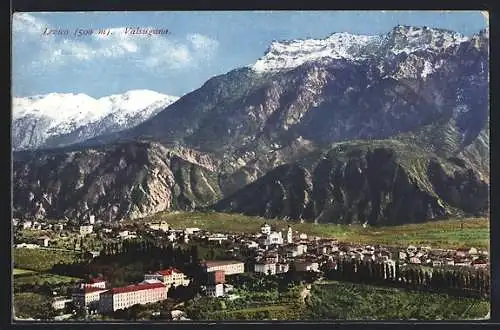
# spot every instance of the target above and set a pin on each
(198, 45)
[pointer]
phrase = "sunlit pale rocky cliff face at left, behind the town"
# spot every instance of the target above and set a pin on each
(112, 183)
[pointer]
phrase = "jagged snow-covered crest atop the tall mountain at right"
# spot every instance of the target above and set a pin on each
(289, 54)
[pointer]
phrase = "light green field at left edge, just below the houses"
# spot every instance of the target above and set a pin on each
(41, 260)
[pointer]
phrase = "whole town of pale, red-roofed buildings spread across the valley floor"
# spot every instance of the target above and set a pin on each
(269, 252)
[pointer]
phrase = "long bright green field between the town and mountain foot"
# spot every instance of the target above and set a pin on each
(474, 232)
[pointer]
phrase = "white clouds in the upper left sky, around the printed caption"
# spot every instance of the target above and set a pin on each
(147, 51)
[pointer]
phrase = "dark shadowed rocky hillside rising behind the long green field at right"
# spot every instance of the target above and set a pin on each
(358, 183)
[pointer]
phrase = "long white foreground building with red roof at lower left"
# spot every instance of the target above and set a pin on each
(125, 297)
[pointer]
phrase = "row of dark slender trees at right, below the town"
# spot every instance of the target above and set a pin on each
(459, 281)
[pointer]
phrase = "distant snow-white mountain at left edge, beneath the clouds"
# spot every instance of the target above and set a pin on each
(57, 114)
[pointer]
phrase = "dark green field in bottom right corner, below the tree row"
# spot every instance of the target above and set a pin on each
(344, 301)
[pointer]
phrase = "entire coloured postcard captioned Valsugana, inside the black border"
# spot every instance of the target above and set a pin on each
(250, 165)
